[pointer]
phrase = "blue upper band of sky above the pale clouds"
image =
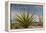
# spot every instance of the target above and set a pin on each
(34, 9)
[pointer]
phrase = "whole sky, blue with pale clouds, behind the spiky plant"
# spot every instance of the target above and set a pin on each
(36, 10)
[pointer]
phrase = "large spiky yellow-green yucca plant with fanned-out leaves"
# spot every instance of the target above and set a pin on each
(25, 20)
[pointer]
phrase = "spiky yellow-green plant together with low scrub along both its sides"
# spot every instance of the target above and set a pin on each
(24, 21)
